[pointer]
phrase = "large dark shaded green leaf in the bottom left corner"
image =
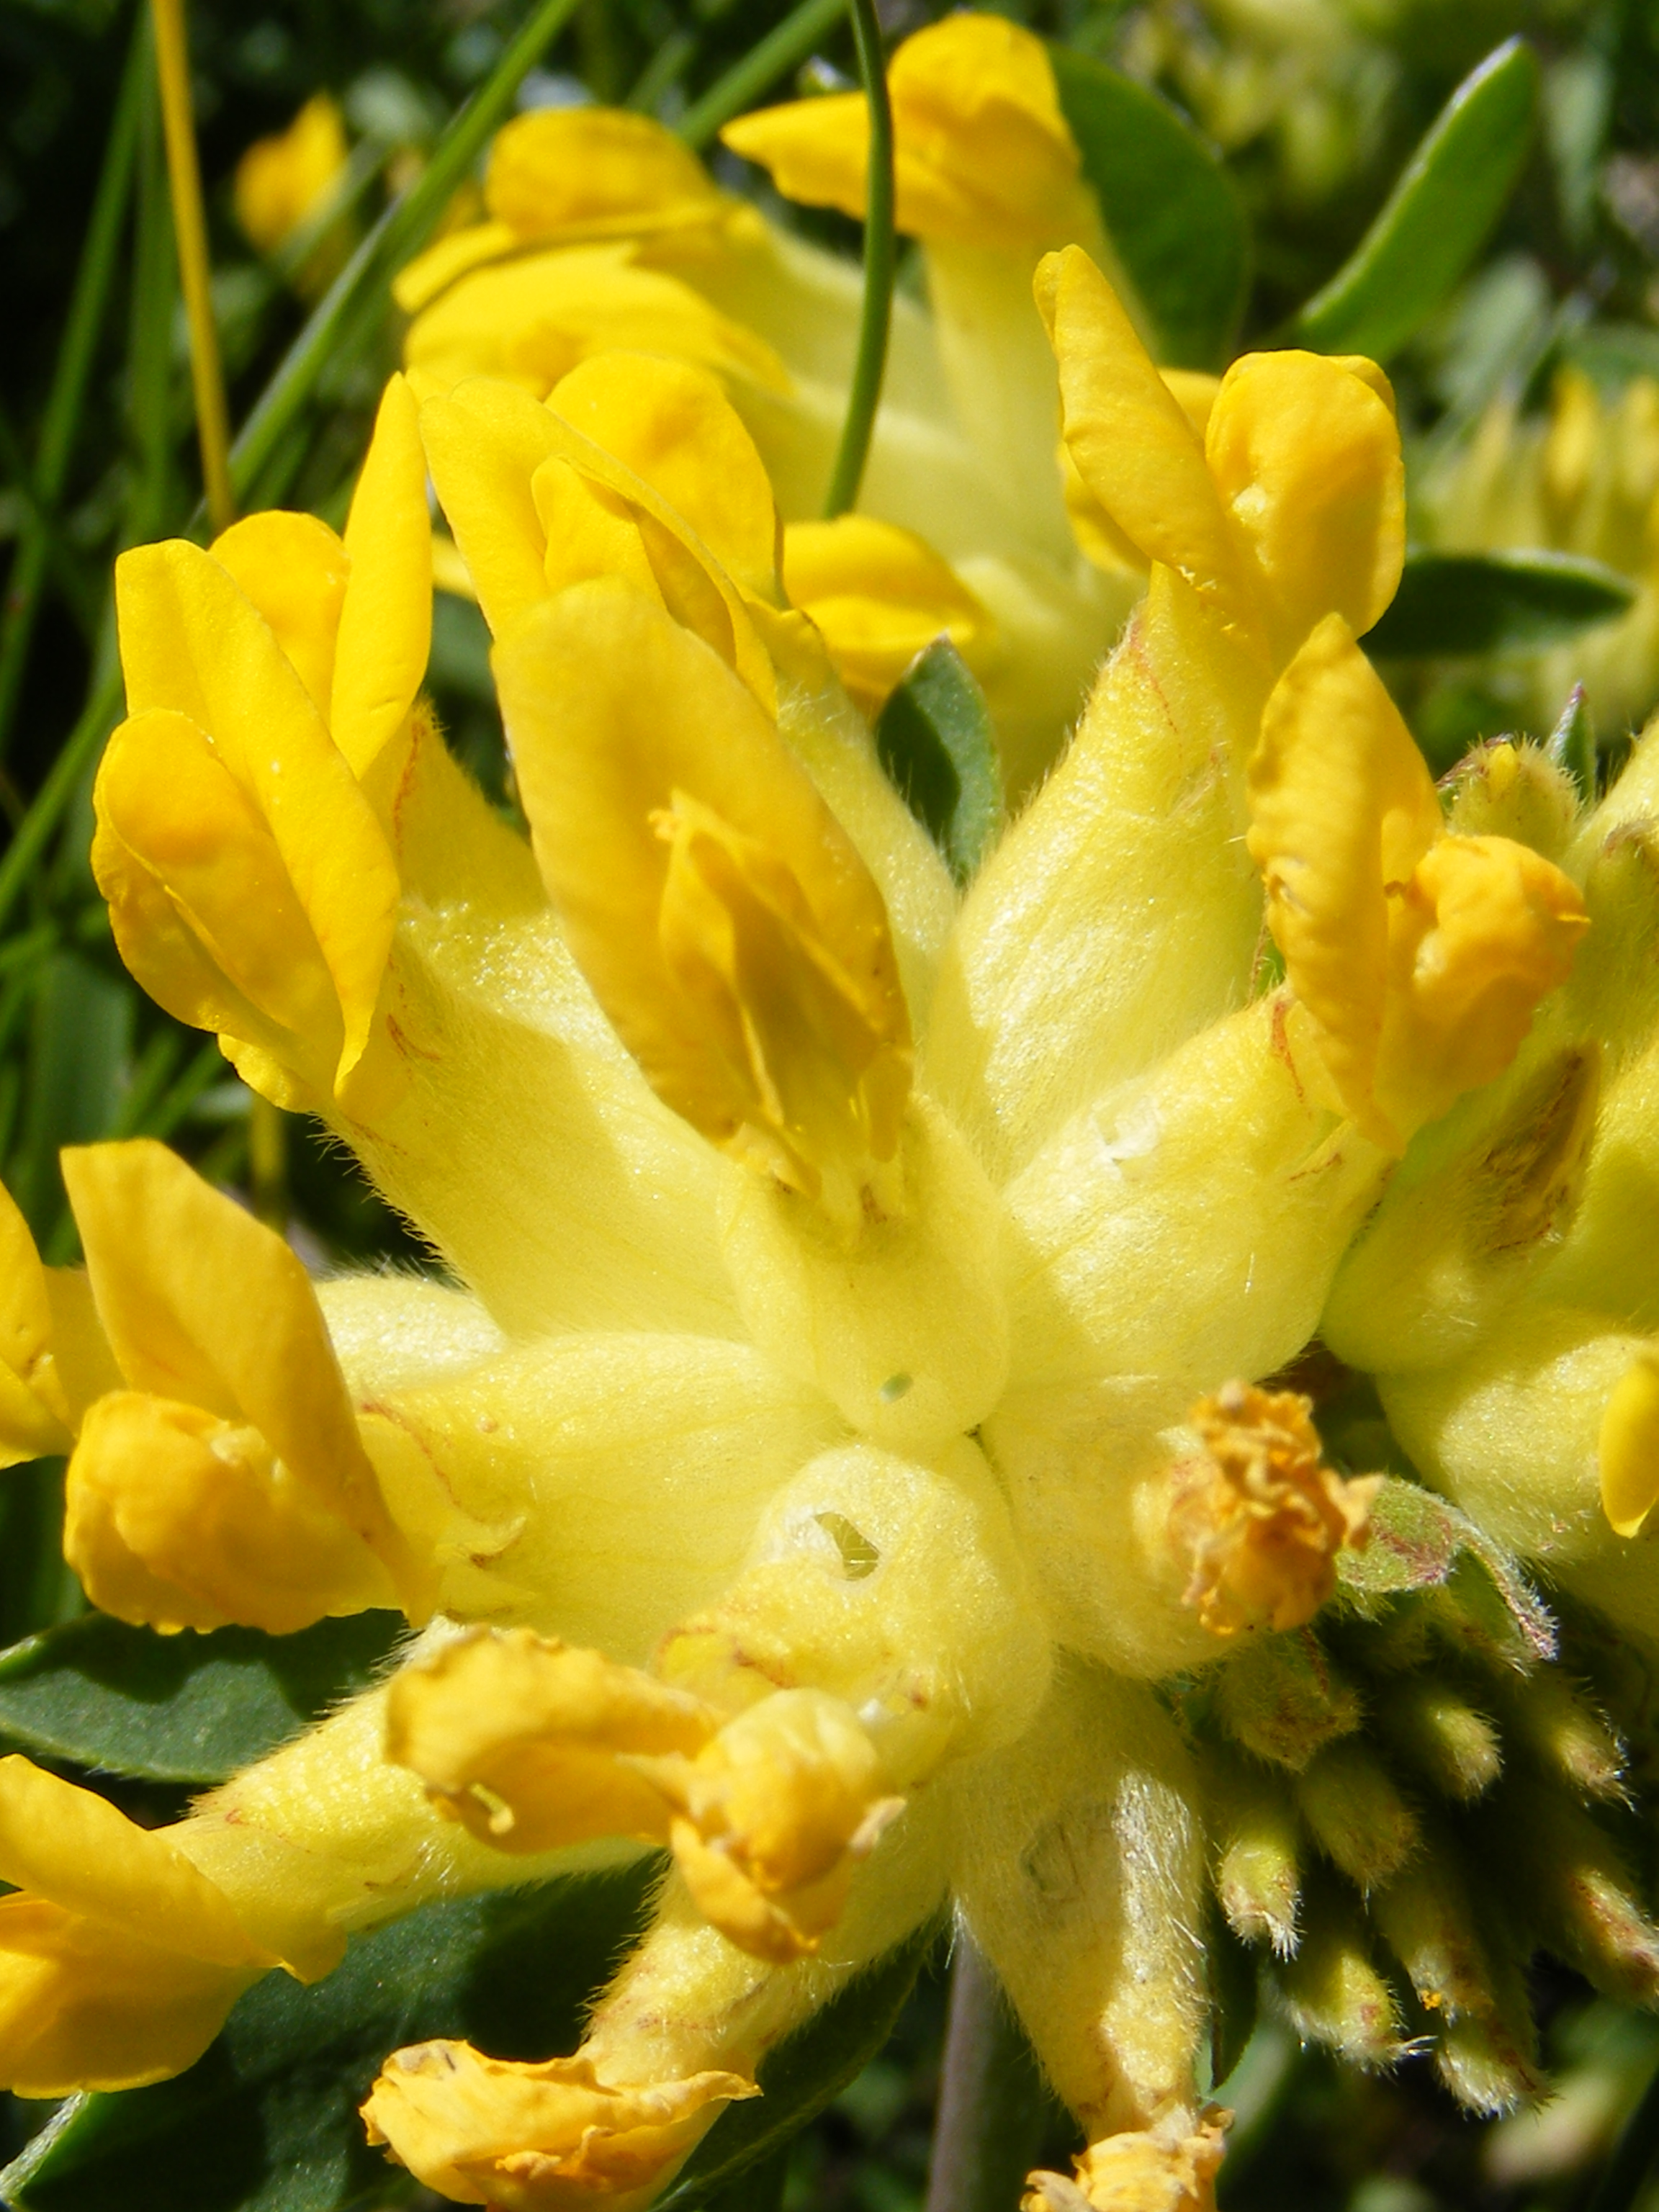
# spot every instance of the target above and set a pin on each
(269, 2120)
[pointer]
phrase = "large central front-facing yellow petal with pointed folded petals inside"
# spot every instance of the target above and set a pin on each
(713, 901)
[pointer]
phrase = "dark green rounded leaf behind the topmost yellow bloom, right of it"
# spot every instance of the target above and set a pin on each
(1171, 211)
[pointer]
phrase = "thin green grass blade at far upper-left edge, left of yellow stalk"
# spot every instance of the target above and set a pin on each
(70, 382)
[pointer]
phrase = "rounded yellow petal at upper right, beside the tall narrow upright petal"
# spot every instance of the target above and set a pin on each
(1306, 457)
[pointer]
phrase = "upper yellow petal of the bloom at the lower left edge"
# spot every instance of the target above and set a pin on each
(76, 1850)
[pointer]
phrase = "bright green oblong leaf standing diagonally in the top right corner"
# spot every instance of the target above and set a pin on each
(1437, 218)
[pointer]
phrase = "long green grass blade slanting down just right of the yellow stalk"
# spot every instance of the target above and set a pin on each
(399, 236)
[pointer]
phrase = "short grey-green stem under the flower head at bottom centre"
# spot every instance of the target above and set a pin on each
(992, 2098)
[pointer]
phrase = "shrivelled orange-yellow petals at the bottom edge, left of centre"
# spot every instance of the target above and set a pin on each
(539, 2138)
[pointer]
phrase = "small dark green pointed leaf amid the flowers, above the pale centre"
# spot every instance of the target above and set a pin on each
(937, 744)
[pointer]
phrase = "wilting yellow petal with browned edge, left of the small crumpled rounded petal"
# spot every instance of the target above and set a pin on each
(519, 1738)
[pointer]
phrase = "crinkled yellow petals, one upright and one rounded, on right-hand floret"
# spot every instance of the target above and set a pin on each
(1419, 957)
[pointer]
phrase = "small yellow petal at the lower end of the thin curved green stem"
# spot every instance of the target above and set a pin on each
(881, 596)
